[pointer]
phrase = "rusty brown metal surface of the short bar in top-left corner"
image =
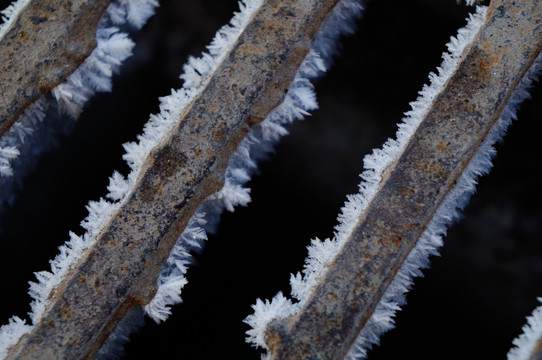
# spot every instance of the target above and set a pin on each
(44, 45)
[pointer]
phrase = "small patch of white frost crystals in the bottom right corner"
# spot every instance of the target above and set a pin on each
(527, 343)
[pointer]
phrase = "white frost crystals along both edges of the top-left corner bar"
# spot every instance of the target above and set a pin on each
(93, 75)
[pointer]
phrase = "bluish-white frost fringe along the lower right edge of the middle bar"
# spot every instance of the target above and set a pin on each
(299, 99)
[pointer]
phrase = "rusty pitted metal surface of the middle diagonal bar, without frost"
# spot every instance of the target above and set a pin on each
(121, 269)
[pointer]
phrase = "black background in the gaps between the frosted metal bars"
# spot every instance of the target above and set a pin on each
(470, 304)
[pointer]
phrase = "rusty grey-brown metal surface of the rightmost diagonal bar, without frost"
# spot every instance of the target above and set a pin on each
(460, 117)
